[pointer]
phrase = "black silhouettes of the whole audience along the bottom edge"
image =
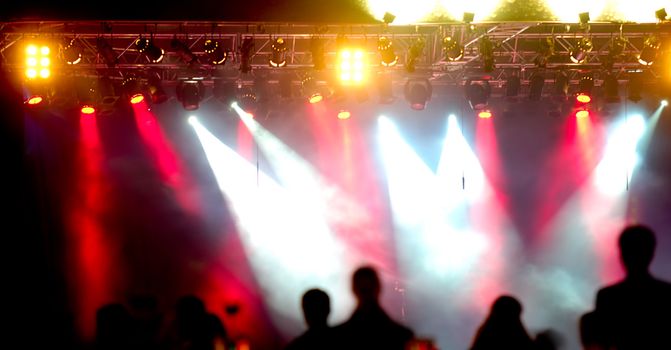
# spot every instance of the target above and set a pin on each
(632, 314)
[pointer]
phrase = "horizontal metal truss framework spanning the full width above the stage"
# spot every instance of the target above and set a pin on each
(449, 53)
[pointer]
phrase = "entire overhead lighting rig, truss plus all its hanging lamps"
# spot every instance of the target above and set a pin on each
(97, 63)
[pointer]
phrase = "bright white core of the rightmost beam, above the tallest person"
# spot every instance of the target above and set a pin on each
(620, 156)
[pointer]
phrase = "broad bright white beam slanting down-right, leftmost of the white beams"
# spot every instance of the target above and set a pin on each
(287, 243)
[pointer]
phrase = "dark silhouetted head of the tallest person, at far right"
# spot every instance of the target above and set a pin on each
(637, 248)
